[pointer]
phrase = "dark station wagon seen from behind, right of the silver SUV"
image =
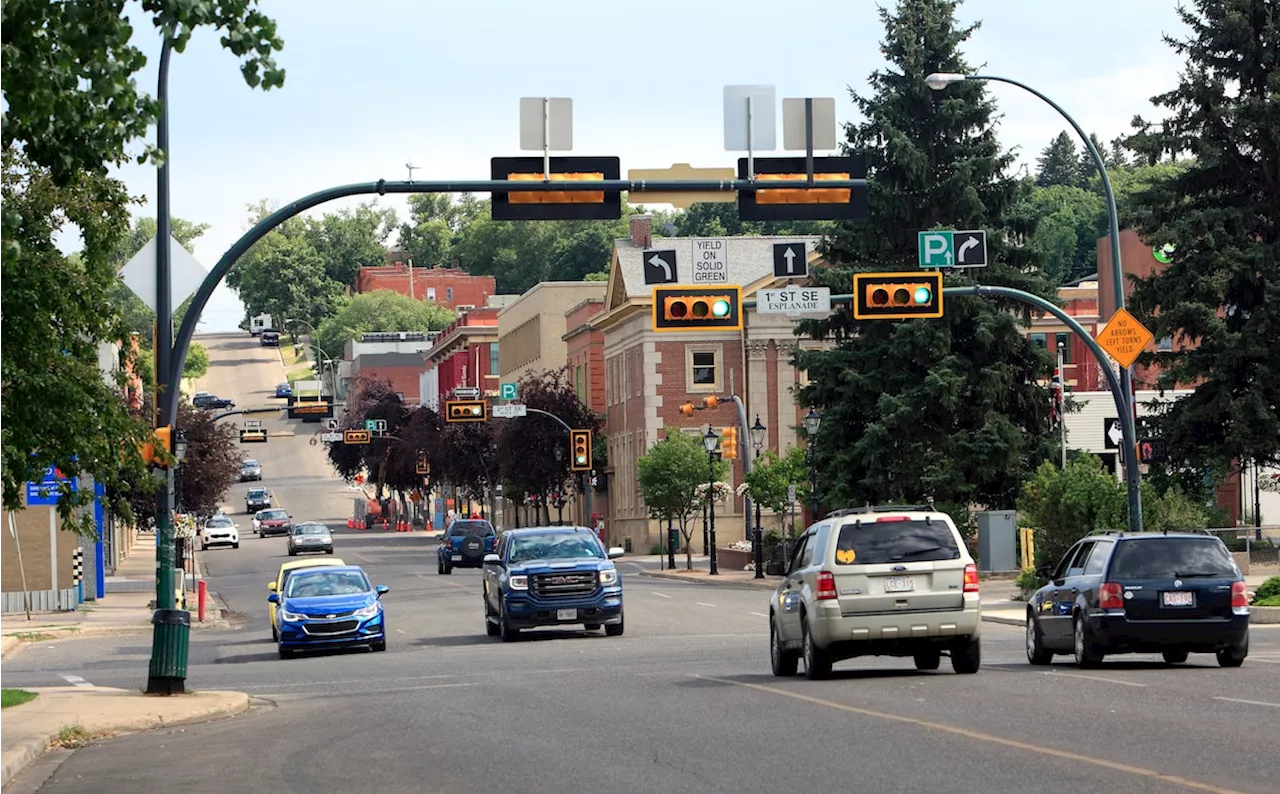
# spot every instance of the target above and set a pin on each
(1168, 594)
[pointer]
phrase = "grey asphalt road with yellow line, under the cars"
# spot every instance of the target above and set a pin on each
(683, 702)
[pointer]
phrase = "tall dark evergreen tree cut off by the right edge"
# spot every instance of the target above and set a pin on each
(1220, 298)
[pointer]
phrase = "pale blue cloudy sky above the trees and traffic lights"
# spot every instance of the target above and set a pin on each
(376, 85)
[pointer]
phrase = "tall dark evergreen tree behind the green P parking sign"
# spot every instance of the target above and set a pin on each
(947, 409)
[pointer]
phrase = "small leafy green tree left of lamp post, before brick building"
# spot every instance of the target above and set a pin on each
(669, 477)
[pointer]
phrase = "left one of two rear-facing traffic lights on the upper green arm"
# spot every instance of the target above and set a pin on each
(556, 206)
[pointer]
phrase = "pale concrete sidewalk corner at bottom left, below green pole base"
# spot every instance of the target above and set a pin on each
(68, 717)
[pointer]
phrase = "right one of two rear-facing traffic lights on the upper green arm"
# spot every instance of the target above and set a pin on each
(804, 204)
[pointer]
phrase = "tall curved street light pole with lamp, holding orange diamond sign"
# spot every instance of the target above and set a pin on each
(939, 81)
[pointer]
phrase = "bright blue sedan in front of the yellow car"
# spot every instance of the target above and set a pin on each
(331, 608)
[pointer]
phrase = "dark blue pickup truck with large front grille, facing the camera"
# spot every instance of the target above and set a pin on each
(552, 577)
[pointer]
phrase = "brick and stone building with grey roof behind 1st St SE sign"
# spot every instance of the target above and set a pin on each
(650, 376)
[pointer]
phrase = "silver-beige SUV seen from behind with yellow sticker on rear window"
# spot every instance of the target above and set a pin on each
(877, 582)
